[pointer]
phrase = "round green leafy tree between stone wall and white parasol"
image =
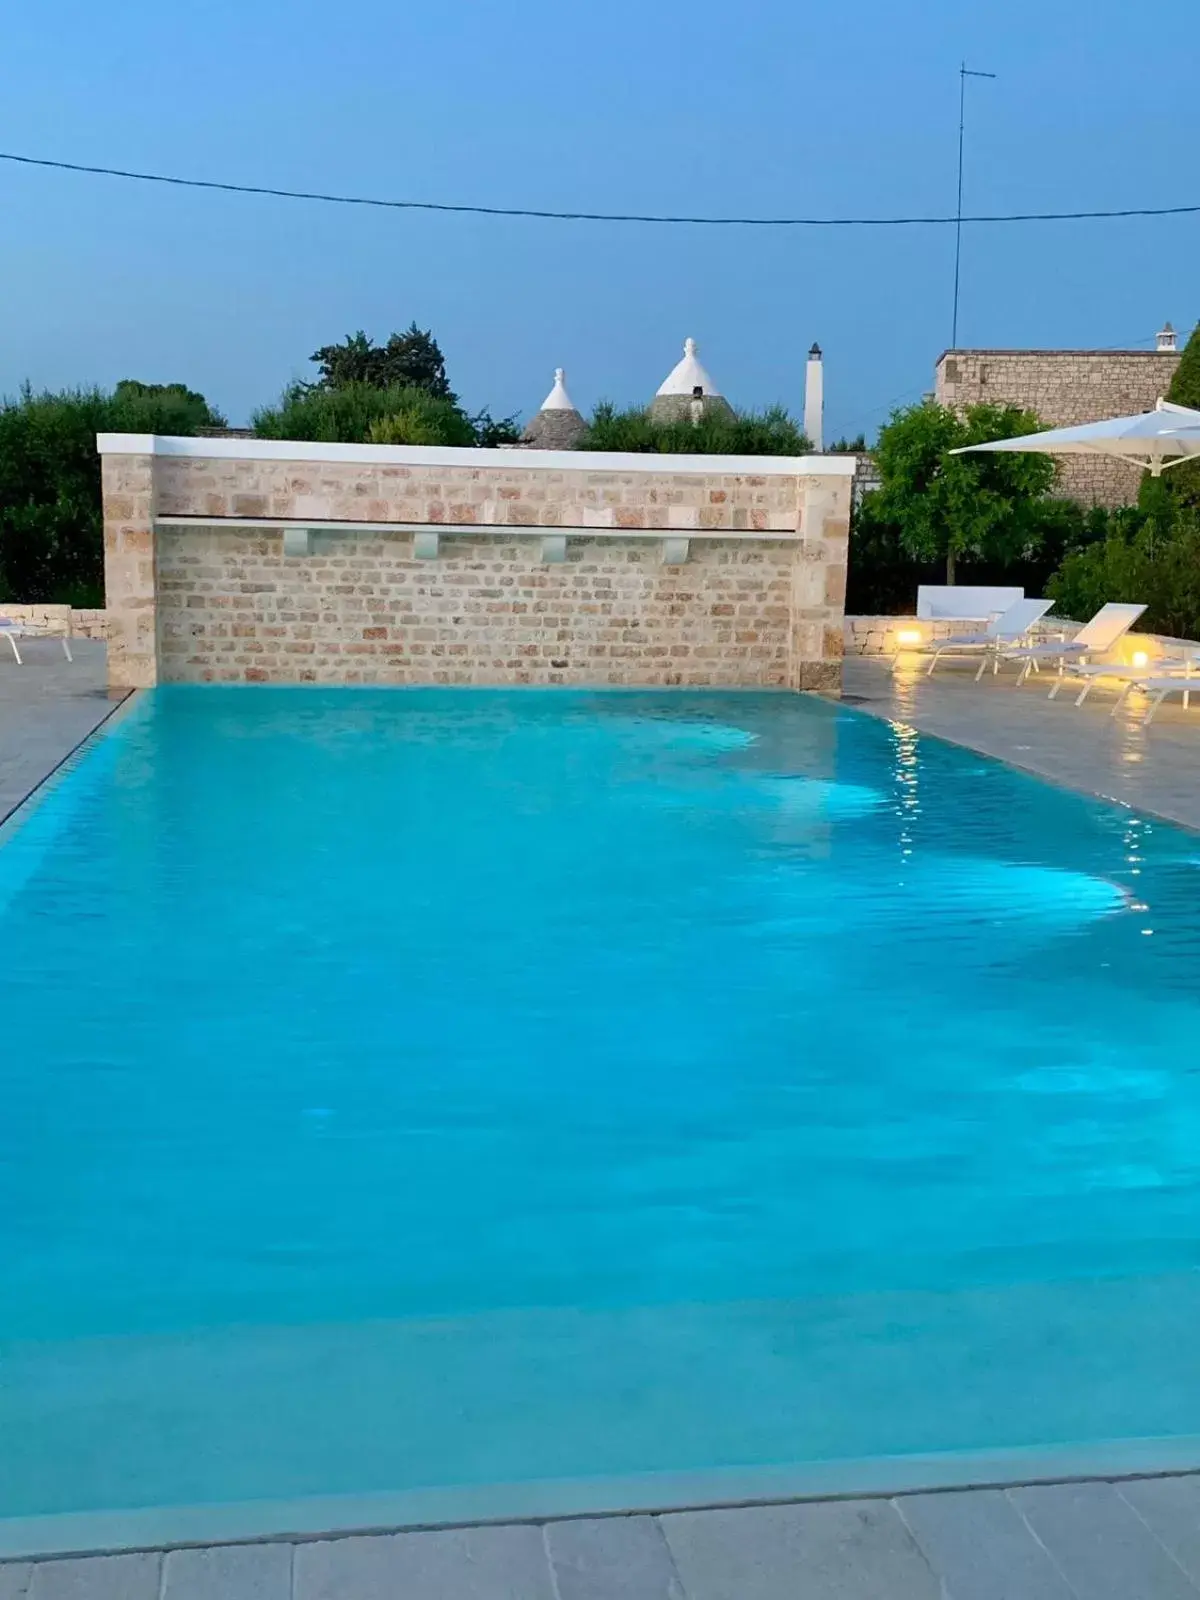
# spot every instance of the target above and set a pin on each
(953, 506)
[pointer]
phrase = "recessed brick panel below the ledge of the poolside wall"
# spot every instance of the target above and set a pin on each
(366, 610)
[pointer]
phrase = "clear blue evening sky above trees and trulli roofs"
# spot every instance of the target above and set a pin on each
(769, 106)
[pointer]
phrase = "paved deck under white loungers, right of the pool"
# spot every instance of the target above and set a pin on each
(1084, 748)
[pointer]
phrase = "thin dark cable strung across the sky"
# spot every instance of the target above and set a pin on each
(598, 217)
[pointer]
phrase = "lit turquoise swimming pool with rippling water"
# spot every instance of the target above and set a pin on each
(441, 1103)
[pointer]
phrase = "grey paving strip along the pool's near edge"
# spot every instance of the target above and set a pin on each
(1066, 1542)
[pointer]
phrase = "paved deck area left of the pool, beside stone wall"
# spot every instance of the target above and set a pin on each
(47, 708)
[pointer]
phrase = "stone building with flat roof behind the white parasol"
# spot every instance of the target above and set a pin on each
(1066, 388)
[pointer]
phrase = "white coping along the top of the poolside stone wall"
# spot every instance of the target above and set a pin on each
(470, 457)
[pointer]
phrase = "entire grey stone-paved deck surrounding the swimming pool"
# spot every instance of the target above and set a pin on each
(1130, 1540)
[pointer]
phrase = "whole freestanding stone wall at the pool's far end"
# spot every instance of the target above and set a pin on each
(276, 562)
